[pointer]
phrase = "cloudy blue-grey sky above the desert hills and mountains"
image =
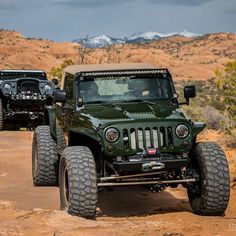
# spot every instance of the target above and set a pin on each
(65, 20)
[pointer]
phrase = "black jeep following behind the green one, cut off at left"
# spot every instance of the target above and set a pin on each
(23, 95)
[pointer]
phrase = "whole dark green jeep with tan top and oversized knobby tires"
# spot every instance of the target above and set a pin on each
(123, 127)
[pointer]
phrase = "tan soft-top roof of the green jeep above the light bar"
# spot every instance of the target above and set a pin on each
(73, 69)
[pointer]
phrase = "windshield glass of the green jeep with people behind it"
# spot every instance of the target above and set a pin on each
(128, 88)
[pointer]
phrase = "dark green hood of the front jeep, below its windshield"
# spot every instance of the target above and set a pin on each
(112, 113)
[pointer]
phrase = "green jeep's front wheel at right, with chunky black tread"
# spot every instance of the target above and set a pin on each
(210, 194)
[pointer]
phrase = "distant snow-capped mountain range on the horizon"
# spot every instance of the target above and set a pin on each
(140, 37)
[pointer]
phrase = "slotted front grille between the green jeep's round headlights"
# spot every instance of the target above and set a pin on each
(146, 137)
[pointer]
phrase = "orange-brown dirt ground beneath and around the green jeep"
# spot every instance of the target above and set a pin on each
(28, 210)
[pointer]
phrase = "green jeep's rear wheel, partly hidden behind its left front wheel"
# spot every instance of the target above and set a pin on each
(44, 158)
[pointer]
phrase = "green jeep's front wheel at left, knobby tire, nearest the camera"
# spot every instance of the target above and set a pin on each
(78, 182)
